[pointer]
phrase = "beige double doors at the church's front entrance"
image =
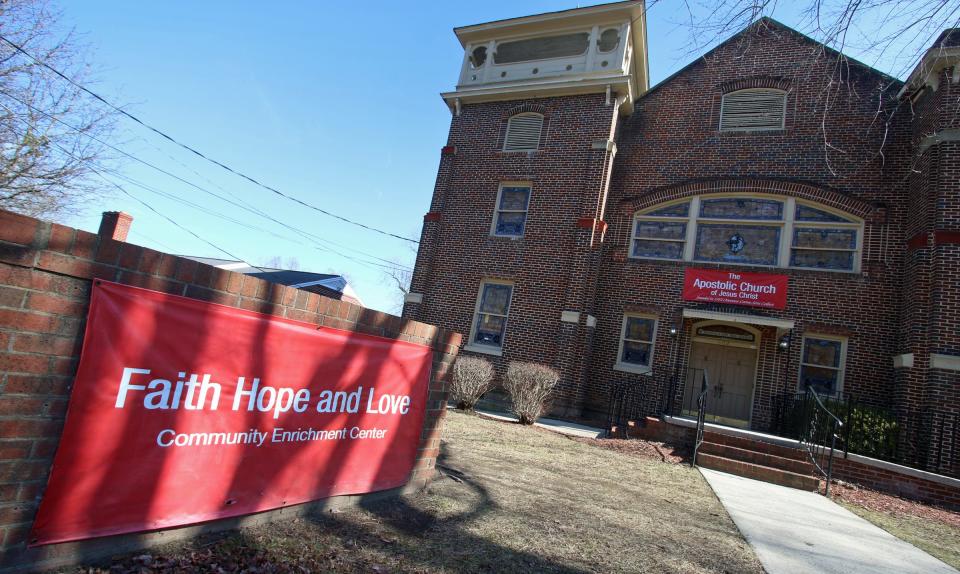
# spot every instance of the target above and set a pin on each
(731, 373)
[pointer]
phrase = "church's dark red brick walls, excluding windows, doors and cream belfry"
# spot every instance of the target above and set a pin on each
(851, 142)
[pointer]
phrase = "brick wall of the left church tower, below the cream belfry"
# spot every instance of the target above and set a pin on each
(553, 266)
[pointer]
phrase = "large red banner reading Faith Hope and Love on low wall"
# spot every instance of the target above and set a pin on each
(185, 411)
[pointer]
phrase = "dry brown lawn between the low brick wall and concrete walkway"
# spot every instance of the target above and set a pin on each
(515, 499)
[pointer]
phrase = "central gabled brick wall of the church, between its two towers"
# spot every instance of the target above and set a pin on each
(671, 148)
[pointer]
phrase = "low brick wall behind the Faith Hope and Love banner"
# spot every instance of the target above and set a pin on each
(46, 272)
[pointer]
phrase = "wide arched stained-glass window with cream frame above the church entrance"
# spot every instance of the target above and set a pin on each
(749, 229)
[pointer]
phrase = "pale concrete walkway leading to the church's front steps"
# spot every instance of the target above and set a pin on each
(794, 532)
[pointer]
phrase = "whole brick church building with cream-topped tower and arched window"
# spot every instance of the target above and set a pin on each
(774, 214)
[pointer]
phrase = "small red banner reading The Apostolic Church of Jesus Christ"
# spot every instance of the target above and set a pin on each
(751, 289)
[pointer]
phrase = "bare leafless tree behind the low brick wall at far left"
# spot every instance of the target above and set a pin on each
(36, 177)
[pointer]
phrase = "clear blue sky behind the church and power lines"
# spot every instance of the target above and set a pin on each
(335, 103)
